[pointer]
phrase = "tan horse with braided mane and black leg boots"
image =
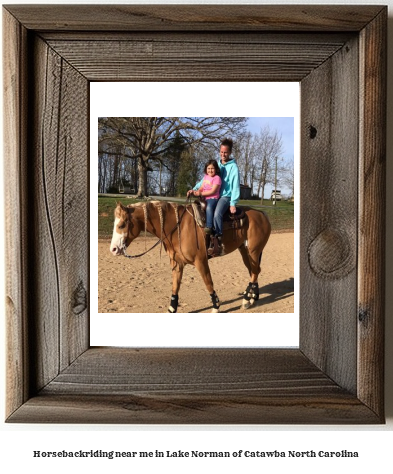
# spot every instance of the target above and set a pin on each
(184, 242)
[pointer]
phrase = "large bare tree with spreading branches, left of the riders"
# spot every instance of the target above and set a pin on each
(151, 137)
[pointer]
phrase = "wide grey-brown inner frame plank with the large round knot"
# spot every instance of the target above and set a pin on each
(328, 192)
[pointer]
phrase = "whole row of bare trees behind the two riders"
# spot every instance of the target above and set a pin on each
(166, 155)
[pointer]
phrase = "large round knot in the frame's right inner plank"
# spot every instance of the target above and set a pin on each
(330, 254)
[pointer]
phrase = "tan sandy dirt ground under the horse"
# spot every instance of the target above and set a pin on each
(143, 285)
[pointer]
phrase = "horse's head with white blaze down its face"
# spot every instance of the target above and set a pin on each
(126, 228)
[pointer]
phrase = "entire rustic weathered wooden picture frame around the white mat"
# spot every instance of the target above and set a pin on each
(338, 54)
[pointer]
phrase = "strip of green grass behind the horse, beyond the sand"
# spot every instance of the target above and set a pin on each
(280, 215)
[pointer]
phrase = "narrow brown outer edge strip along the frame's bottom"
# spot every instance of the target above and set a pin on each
(221, 410)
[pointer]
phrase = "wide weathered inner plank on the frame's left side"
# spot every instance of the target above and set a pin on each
(61, 221)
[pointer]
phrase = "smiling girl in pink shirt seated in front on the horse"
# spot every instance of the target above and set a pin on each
(209, 188)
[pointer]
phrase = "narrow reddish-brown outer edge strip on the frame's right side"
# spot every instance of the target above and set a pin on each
(372, 208)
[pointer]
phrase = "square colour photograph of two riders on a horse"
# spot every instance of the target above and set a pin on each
(203, 209)
